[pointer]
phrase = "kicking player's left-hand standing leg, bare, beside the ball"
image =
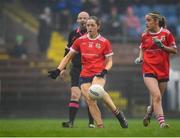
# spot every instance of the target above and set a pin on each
(92, 104)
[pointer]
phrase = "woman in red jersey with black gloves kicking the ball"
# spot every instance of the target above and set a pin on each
(96, 59)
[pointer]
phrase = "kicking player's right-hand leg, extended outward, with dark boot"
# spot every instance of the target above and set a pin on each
(108, 101)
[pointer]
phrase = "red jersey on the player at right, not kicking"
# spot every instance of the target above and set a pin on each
(156, 60)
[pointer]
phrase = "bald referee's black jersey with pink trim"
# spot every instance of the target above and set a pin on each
(76, 61)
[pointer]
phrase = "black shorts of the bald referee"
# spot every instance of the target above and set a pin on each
(74, 74)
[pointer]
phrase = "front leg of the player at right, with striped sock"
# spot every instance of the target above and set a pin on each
(153, 87)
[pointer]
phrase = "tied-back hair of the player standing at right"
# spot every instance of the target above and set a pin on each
(156, 16)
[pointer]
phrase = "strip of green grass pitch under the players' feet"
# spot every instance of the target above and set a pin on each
(53, 128)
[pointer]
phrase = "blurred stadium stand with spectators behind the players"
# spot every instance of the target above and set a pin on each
(33, 35)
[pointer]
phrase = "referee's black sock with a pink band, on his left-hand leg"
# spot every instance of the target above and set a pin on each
(73, 109)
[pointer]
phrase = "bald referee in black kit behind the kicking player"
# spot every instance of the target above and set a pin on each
(75, 72)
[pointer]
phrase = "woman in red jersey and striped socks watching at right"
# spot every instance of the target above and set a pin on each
(156, 44)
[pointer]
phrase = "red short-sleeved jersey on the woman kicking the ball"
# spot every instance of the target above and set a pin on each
(93, 54)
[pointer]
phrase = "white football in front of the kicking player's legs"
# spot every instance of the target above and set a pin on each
(96, 91)
